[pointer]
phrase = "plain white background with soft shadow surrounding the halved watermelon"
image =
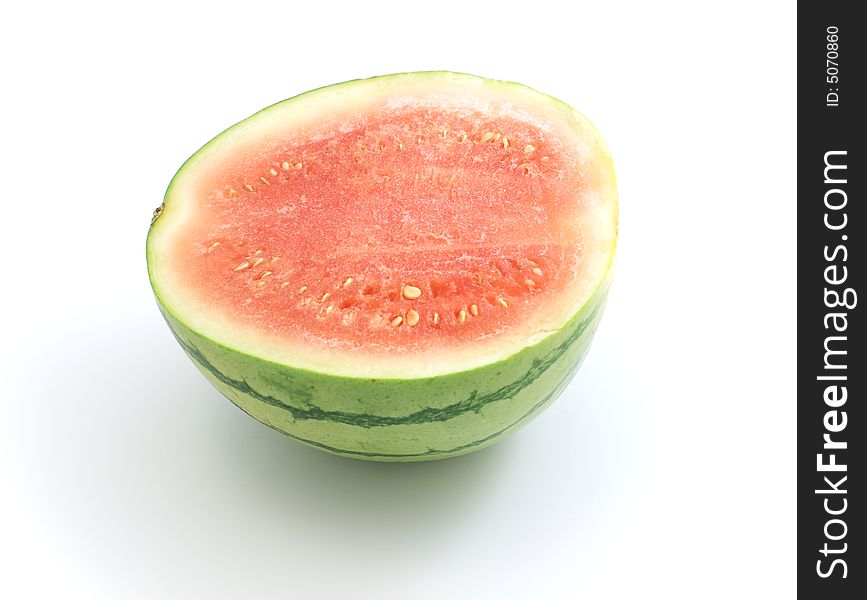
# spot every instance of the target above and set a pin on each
(666, 470)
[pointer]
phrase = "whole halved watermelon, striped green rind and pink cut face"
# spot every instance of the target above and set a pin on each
(401, 268)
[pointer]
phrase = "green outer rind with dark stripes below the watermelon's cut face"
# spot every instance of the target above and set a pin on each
(398, 419)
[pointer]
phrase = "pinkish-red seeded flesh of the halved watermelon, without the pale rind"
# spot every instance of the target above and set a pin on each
(405, 229)
